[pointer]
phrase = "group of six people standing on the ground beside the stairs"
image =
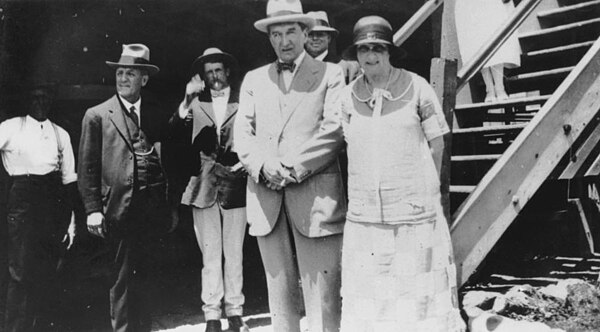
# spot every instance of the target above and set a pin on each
(265, 154)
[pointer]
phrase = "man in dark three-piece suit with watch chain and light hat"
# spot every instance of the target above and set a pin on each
(122, 183)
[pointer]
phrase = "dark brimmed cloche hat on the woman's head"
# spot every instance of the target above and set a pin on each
(373, 30)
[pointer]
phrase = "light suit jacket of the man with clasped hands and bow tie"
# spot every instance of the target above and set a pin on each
(272, 124)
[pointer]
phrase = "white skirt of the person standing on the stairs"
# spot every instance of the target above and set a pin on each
(476, 21)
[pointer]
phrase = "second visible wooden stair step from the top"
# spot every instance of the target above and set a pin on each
(552, 37)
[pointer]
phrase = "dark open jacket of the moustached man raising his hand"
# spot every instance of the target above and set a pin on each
(211, 182)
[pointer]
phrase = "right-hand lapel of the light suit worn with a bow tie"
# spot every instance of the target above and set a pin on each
(302, 82)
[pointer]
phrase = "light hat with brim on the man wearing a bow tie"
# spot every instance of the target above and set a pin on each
(284, 11)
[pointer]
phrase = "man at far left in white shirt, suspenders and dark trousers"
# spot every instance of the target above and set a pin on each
(38, 158)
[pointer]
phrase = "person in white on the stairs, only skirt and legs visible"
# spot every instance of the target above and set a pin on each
(476, 22)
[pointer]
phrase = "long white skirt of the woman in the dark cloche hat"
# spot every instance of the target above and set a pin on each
(399, 278)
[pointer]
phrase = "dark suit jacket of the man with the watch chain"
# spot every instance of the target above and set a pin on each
(106, 156)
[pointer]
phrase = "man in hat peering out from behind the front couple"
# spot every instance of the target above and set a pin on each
(319, 40)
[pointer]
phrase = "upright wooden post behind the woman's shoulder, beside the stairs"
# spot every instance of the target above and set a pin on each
(443, 80)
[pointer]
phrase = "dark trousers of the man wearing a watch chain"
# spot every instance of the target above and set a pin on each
(130, 243)
